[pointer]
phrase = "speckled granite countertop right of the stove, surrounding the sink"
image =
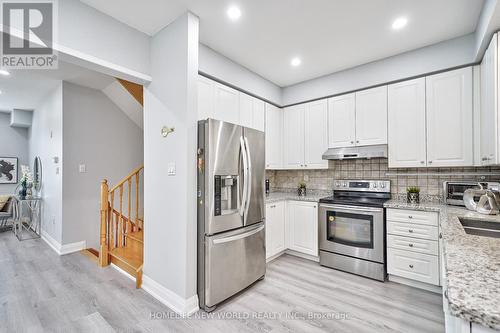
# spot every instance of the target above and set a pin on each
(472, 264)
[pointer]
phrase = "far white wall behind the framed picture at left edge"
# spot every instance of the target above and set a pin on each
(13, 143)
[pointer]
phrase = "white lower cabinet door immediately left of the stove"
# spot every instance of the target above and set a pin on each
(302, 222)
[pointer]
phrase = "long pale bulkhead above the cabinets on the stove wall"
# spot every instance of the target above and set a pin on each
(448, 54)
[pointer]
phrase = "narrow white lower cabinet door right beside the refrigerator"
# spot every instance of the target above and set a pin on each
(275, 228)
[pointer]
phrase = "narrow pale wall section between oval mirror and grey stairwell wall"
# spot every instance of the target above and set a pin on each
(45, 140)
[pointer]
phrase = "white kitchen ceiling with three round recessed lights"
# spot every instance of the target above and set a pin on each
(328, 35)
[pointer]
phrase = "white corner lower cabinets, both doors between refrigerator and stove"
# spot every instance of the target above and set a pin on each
(292, 225)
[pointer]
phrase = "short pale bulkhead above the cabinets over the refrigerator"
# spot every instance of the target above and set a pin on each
(217, 66)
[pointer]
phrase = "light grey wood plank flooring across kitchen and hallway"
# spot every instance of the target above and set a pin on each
(42, 292)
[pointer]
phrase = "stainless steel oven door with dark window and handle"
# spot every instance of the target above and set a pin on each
(353, 231)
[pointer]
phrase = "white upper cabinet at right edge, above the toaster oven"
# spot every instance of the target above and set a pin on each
(488, 110)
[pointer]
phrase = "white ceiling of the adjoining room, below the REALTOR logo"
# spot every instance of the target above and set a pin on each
(24, 89)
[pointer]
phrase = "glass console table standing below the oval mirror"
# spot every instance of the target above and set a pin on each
(27, 217)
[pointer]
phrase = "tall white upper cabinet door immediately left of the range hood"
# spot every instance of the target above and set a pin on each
(316, 134)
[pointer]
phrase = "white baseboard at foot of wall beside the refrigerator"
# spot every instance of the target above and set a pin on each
(175, 302)
